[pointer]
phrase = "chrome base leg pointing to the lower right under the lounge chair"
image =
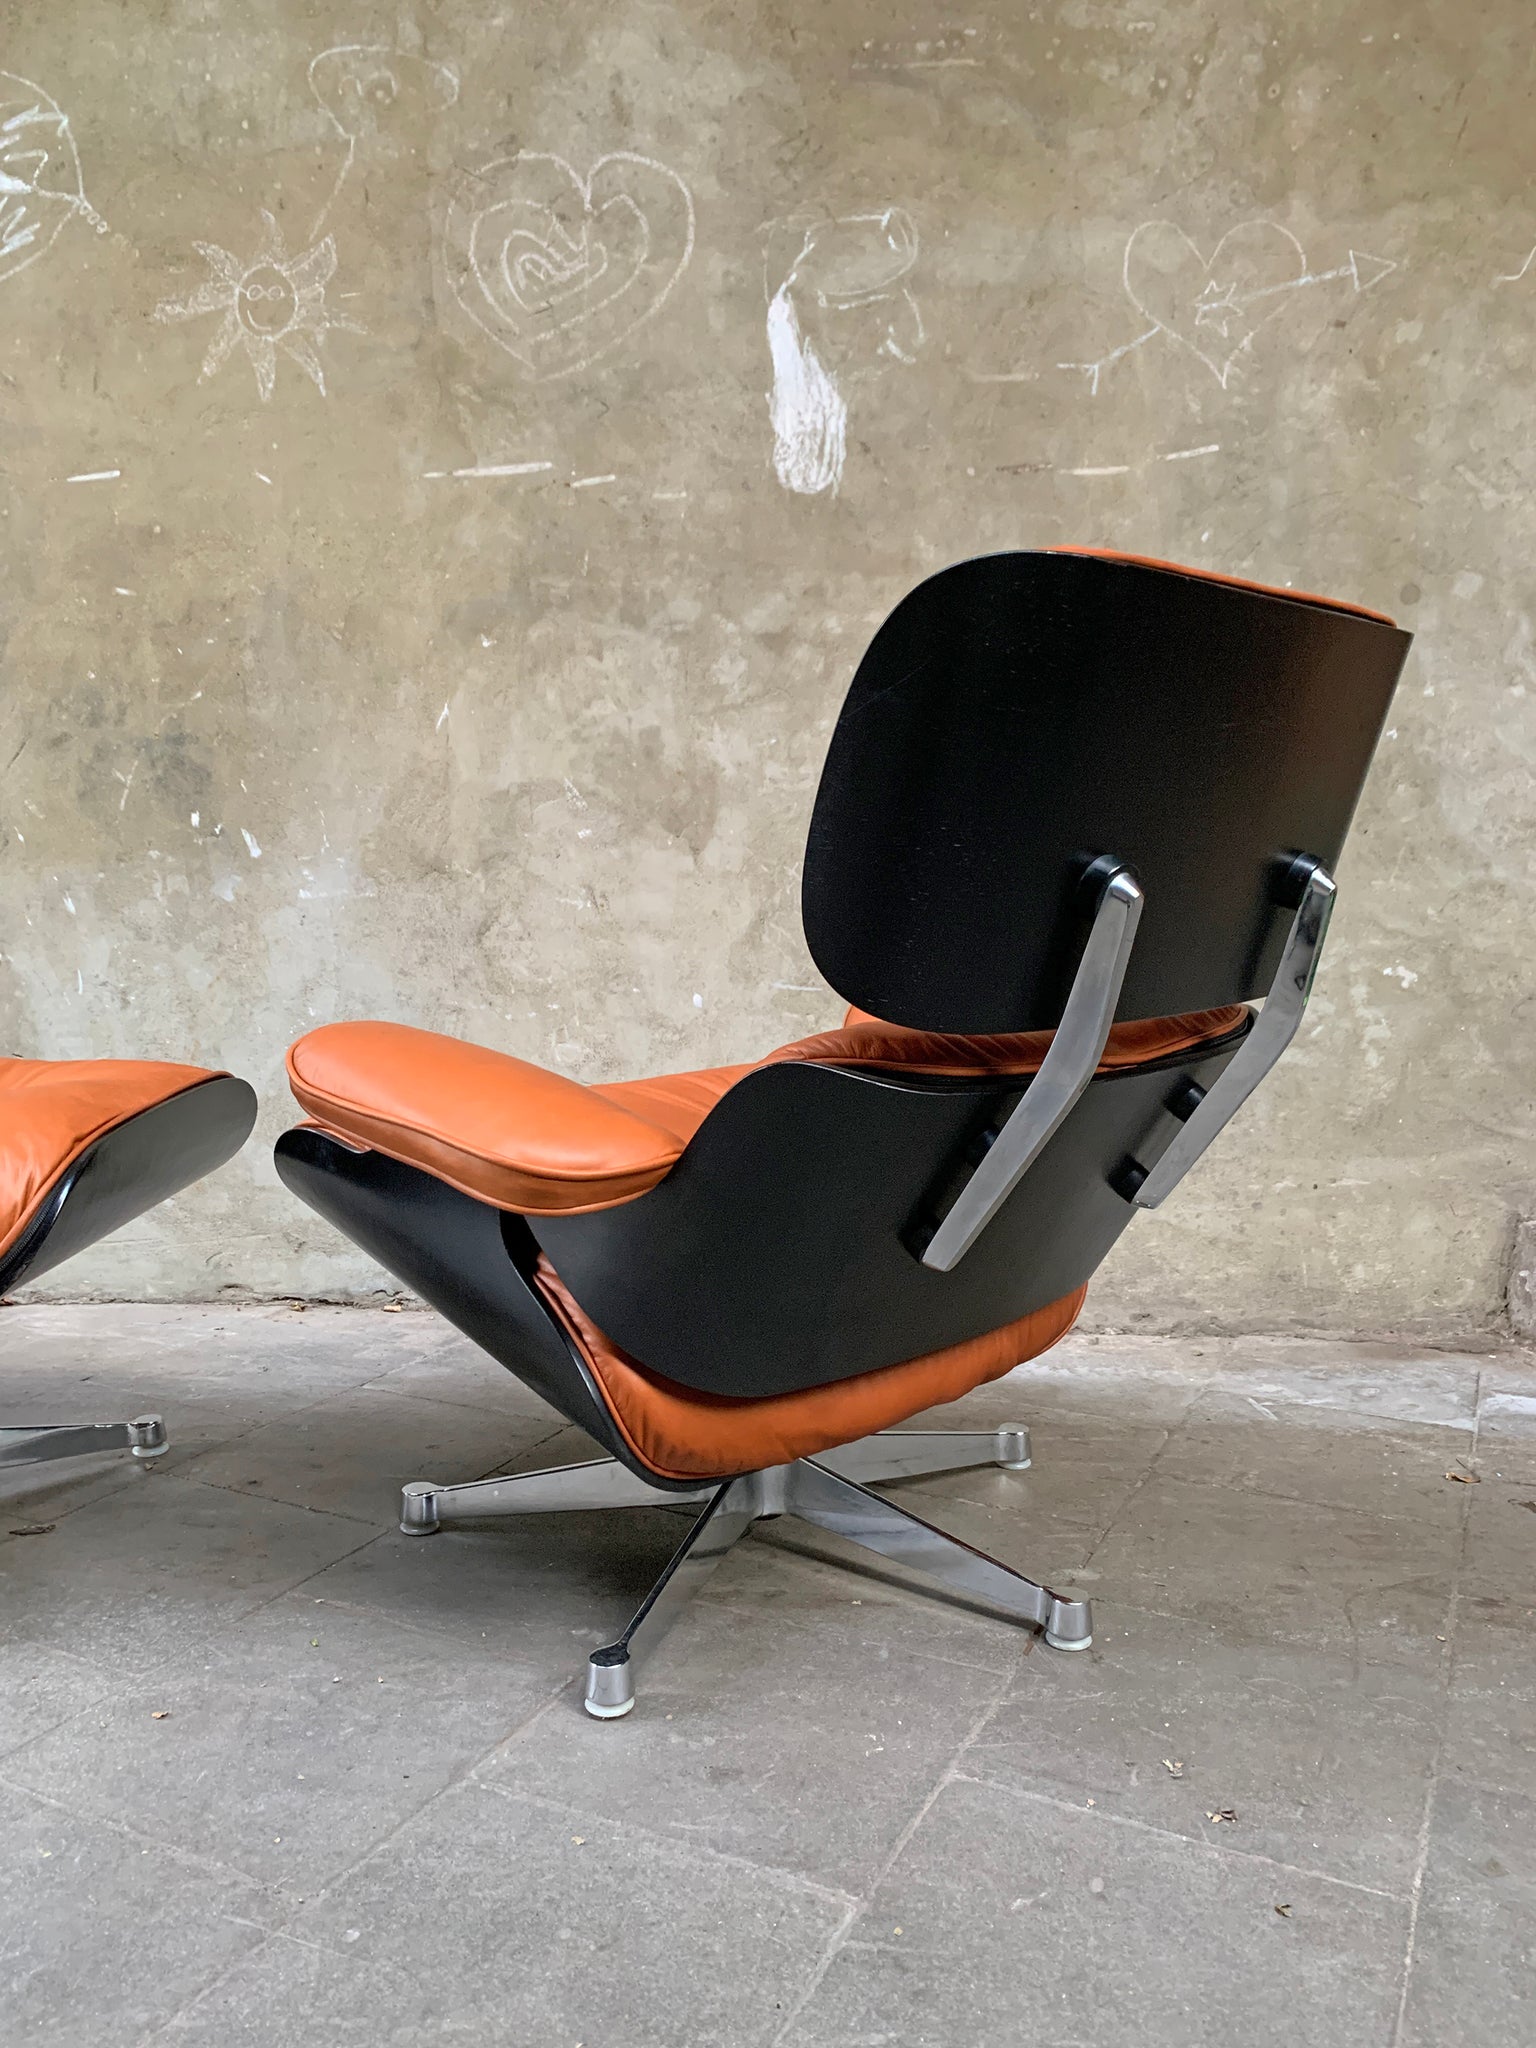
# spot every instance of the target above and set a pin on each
(833, 1502)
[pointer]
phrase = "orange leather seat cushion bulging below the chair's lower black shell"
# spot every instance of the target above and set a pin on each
(687, 1435)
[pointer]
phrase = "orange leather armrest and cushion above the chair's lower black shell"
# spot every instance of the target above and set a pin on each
(540, 1144)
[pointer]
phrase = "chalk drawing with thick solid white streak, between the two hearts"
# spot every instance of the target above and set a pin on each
(841, 269)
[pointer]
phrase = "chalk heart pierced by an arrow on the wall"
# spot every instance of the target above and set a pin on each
(1215, 306)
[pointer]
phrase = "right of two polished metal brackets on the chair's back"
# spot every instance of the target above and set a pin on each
(1205, 1115)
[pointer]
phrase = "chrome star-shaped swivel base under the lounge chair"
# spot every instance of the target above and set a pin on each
(830, 1492)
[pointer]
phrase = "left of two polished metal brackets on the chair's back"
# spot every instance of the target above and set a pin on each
(1064, 1074)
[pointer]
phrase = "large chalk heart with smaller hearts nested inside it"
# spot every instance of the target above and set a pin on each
(562, 269)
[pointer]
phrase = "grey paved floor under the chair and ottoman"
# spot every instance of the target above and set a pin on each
(278, 1775)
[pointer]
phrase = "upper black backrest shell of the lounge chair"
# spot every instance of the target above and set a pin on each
(1019, 718)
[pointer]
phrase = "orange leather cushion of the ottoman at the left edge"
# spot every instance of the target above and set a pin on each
(52, 1111)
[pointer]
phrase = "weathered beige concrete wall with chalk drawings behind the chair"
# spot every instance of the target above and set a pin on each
(427, 667)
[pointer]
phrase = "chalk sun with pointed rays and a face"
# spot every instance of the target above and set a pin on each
(273, 302)
